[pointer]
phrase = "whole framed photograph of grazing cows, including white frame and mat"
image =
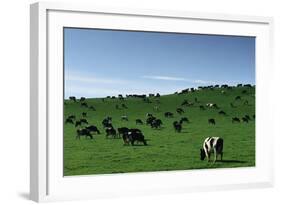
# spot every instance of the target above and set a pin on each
(131, 102)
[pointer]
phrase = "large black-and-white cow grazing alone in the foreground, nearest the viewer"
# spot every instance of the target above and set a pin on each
(212, 145)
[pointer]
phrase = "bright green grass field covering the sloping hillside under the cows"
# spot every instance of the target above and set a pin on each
(166, 150)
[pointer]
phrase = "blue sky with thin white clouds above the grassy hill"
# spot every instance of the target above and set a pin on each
(99, 63)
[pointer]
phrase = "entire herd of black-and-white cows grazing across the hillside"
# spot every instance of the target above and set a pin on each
(133, 135)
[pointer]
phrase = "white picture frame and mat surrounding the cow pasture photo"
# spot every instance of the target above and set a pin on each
(46, 179)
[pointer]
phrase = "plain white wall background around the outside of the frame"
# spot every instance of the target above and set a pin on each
(14, 101)
